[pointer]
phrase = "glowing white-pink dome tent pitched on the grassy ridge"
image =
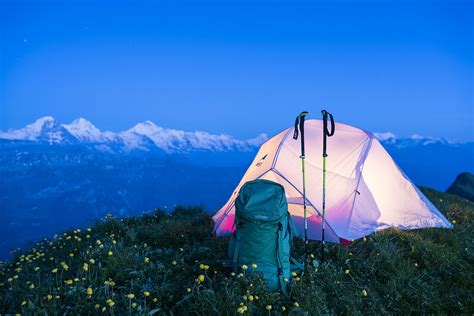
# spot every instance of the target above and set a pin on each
(365, 189)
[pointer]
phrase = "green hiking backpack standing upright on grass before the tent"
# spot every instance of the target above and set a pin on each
(263, 233)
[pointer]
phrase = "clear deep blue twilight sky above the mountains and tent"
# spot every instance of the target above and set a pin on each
(240, 67)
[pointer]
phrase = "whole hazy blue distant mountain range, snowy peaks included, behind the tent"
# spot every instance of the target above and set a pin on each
(54, 176)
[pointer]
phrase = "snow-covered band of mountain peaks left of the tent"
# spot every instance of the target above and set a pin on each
(145, 136)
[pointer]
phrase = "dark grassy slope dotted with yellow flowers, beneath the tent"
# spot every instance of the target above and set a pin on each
(169, 264)
